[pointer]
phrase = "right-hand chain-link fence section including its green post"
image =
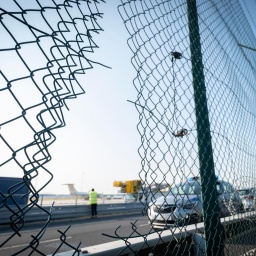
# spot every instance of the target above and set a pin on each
(196, 106)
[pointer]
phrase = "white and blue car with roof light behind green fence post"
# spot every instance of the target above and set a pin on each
(183, 204)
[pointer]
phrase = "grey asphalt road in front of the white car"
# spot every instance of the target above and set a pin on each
(88, 231)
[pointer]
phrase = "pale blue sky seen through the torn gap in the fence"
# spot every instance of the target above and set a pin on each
(99, 144)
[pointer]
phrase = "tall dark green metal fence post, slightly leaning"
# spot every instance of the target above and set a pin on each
(212, 226)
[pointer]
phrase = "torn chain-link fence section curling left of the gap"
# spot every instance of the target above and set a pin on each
(44, 47)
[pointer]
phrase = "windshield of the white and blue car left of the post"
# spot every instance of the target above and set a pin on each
(187, 188)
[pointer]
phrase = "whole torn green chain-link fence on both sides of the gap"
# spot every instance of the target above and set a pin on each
(195, 63)
